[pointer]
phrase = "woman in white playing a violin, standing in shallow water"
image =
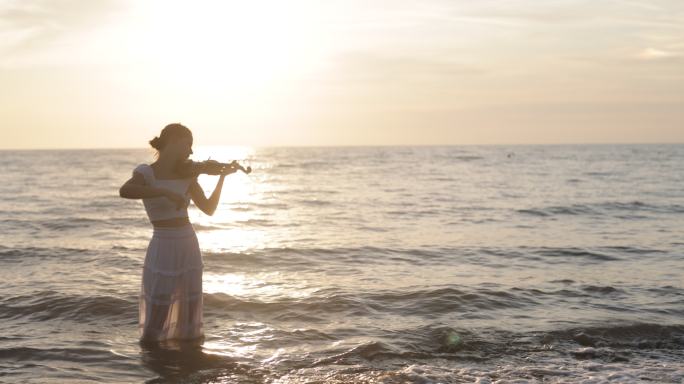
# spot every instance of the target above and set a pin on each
(171, 290)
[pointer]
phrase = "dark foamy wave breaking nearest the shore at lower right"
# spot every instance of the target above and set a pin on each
(459, 344)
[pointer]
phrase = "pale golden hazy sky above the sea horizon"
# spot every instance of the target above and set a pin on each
(112, 73)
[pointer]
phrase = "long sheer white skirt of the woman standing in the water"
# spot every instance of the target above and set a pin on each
(171, 289)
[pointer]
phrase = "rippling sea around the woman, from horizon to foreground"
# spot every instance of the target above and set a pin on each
(453, 264)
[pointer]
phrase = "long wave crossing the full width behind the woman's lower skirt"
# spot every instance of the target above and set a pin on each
(468, 302)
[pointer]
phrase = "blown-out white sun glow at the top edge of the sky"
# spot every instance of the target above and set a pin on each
(222, 46)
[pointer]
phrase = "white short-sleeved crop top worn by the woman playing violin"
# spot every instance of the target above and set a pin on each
(160, 208)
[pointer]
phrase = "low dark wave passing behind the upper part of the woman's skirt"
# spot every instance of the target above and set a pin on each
(289, 257)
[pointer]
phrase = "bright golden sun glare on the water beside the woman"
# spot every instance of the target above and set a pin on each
(226, 231)
